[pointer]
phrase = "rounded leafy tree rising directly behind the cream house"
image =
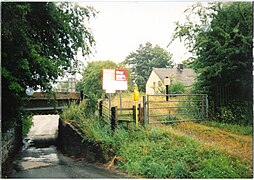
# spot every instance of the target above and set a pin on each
(144, 59)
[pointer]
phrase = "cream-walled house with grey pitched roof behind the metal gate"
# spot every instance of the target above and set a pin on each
(155, 82)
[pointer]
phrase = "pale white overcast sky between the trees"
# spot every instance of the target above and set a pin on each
(120, 27)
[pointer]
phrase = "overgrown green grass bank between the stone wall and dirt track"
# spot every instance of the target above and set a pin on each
(156, 153)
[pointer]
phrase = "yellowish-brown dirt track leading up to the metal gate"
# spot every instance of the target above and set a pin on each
(233, 144)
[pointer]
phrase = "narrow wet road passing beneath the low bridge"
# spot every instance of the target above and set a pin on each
(40, 158)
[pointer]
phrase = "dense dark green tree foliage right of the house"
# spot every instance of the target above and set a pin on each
(220, 37)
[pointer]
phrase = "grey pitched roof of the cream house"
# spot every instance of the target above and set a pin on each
(187, 76)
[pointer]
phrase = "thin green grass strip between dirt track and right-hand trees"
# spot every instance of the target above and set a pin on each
(237, 129)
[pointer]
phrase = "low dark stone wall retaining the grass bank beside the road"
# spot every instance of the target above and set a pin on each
(71, 142)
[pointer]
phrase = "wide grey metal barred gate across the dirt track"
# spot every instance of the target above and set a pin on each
(176, 108)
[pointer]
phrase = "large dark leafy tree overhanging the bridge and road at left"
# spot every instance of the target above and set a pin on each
(39, 42)
